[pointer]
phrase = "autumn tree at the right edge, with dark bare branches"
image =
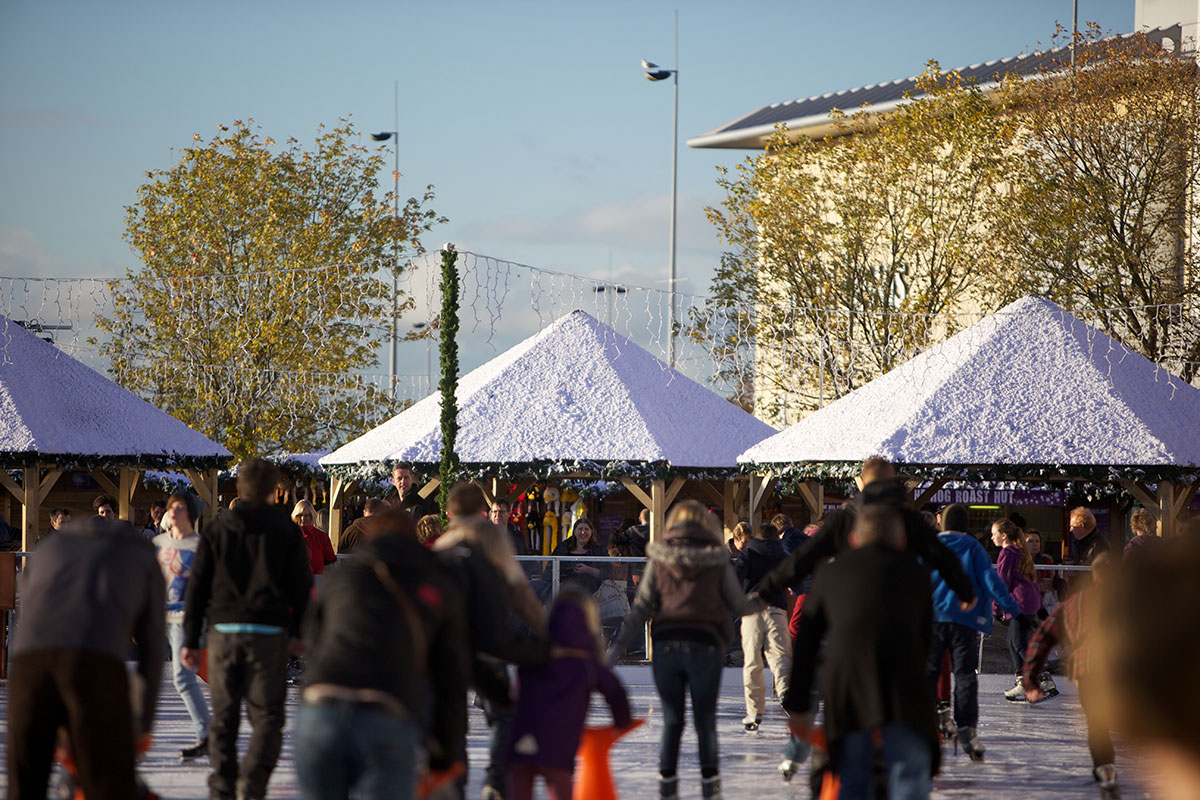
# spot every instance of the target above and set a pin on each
(1105, 208)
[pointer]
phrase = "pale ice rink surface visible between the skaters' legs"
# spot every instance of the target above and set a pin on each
(1033, 751)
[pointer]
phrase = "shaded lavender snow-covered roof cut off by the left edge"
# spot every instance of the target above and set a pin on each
(56, 410)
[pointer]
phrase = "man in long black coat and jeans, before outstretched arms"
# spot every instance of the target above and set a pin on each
(873, 603)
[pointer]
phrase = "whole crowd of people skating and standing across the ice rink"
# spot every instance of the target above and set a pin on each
(863, 622)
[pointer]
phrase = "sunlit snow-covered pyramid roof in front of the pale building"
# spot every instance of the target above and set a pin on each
(1029, 386)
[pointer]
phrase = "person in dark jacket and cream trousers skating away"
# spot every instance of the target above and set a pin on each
(766, 630)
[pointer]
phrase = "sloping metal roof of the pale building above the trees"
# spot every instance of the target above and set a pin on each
(812, 116)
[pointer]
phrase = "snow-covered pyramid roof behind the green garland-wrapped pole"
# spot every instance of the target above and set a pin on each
(577, 393)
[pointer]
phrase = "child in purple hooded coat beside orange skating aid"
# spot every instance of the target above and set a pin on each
(553, 706)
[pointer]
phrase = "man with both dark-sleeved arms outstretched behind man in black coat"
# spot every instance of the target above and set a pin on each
(880, 486)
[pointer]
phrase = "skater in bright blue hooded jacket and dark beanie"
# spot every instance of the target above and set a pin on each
(958, 631)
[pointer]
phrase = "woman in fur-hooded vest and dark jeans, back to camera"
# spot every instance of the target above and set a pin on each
(692, 593)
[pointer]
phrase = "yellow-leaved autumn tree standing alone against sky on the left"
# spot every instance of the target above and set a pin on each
(265, 290)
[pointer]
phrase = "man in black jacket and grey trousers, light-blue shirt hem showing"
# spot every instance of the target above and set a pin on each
(251, 582)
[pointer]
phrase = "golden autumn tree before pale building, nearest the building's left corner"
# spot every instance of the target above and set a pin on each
(847, 255)
